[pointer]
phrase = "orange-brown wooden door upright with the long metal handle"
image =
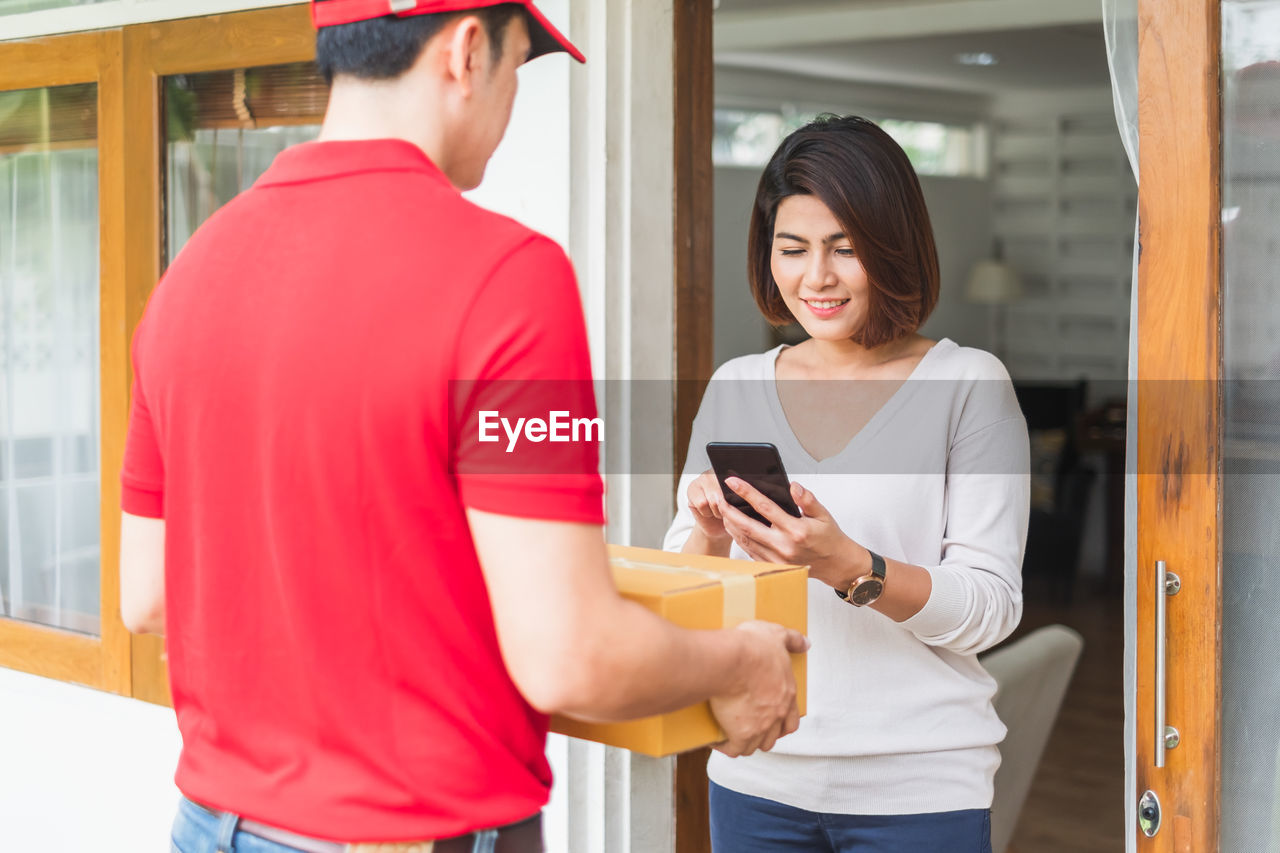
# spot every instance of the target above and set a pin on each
(1180, 412)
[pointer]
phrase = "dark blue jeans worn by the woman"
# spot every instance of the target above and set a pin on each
(744, 824)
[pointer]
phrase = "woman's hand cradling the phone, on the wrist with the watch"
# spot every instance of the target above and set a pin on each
(813, 540)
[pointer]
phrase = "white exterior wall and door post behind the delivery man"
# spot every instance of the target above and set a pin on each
(83, 770)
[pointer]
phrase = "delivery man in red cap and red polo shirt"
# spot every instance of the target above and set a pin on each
(364, 637)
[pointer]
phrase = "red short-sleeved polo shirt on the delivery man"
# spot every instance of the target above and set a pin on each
(332, 647)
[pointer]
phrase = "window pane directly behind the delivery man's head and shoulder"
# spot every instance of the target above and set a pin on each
(225, 129)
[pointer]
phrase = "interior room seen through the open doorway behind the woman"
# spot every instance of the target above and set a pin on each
(1007, 113)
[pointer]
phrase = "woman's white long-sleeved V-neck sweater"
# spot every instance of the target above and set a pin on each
(899, 714)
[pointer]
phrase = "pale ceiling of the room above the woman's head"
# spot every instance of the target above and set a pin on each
(912, 47)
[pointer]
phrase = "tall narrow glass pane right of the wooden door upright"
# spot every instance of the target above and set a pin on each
(1251, 478)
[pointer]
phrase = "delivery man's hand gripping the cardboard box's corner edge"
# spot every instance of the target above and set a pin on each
(765, 708)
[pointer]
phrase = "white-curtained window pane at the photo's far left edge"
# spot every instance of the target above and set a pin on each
(49, 358)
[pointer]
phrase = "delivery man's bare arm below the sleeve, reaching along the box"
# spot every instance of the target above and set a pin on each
(575, 646)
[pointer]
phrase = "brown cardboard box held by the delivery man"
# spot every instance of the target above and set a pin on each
(697, 592)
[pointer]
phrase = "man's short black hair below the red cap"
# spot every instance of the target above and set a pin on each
(388, 47)
